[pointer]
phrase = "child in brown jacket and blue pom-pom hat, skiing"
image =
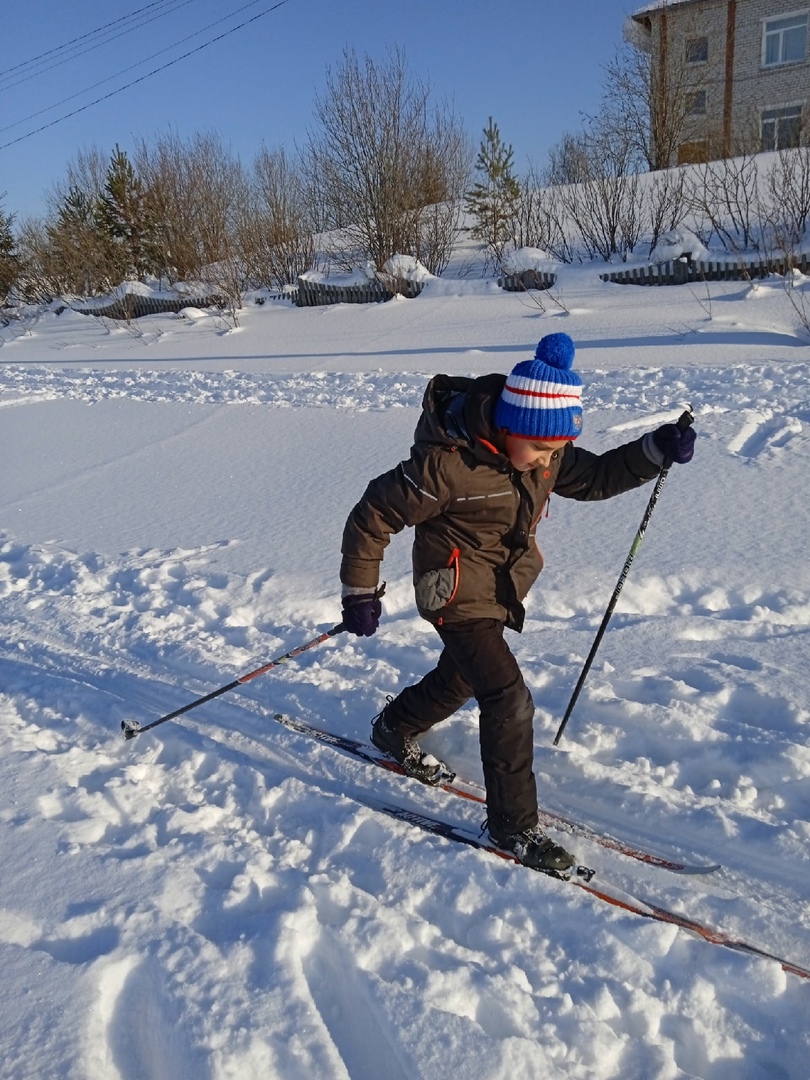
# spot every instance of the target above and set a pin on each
(488, 454)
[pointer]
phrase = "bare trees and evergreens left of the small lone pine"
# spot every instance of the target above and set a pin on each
(383, 172)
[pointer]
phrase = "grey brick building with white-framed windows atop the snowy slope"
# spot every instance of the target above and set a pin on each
(734, 74)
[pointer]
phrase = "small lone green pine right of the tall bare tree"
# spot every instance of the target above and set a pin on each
(494, 199)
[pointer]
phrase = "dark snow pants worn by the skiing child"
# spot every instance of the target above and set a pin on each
(477, 663)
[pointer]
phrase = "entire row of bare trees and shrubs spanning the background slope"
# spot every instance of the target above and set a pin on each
(386, 171)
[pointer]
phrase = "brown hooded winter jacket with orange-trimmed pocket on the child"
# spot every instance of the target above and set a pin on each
(475, 550)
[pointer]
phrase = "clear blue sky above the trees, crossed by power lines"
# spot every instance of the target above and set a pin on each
(535, 66)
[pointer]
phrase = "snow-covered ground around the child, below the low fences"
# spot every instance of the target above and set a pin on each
(210, 900)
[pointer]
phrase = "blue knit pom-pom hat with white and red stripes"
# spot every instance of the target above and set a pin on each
(543, 397)
